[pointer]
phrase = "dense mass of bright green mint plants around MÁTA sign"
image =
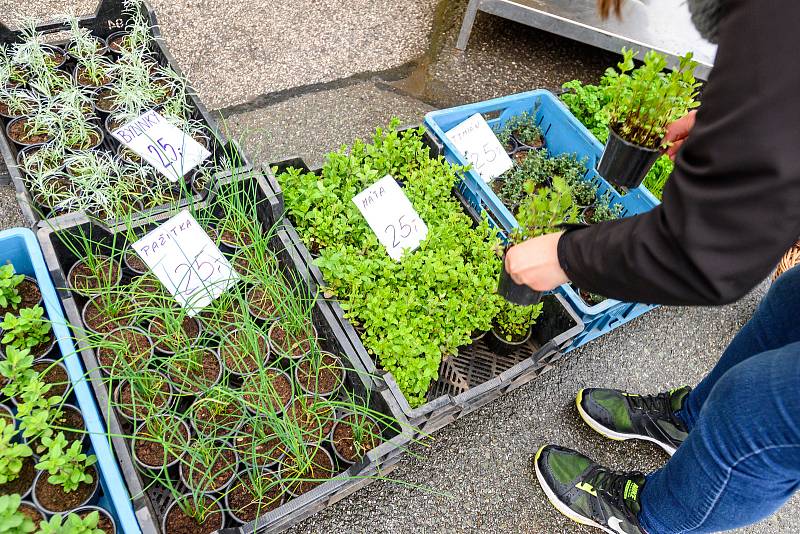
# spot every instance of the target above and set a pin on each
(426, 305)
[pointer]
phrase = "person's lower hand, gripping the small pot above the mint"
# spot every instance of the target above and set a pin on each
(535, 263)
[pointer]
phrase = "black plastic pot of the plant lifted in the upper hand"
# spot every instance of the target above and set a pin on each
(625, 164)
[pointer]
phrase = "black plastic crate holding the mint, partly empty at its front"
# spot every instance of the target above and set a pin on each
(477, 375)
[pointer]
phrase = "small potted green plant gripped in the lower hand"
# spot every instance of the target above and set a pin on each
(542, 212)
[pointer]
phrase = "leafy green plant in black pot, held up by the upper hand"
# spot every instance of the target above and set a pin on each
(642, 103)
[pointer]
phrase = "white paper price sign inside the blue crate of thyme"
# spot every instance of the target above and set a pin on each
(476, 140)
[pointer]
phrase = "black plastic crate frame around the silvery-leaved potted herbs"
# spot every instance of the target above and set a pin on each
(110, 18)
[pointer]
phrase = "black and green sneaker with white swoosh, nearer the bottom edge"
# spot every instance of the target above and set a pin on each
(588, 493)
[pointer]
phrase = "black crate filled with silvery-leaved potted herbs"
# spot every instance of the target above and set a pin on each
(60, 102)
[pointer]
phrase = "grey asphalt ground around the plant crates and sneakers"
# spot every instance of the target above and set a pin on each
(260, 57)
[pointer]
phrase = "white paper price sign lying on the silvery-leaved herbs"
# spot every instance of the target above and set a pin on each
(162, 145)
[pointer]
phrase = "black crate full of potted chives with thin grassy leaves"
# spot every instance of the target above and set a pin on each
(255, 412)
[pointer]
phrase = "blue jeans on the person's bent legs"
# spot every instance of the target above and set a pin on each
(741, 461)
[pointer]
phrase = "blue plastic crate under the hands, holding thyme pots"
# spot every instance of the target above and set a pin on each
(563, 134)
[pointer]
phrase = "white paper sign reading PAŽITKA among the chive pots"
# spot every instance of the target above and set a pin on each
(187, 262)
